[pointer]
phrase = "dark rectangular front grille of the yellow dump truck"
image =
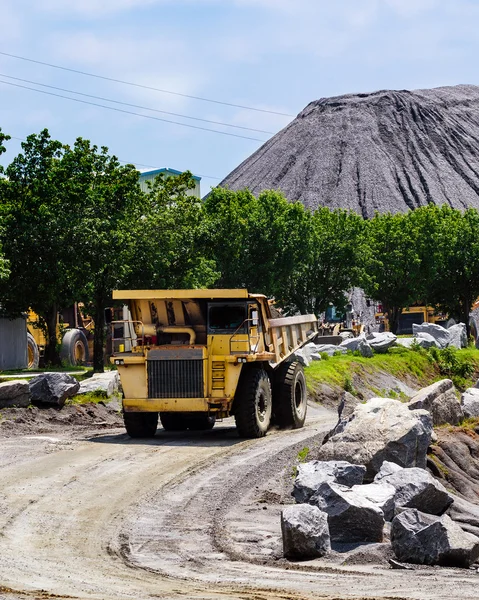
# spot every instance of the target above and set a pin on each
(175, 378)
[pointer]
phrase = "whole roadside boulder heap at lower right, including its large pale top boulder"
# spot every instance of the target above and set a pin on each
(371, 472)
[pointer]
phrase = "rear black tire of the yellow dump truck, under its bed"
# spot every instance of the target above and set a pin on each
(290, 399)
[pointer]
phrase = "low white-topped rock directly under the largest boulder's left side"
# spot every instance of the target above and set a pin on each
(312, 474)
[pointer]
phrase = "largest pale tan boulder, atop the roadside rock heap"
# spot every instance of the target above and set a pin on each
(382, 429)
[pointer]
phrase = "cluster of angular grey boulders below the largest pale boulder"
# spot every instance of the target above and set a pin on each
(409, 498)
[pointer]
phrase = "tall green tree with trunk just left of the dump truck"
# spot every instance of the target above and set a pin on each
(105, 207)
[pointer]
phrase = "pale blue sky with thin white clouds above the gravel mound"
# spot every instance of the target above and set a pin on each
(275, 55)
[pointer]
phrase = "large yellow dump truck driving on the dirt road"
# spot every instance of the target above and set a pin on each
(194, 356)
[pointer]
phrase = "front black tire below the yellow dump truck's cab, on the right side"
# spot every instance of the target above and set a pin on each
(253, 404)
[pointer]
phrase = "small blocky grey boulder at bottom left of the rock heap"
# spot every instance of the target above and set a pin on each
(305, 532)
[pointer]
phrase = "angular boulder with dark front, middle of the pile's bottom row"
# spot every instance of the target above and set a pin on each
(351, 516)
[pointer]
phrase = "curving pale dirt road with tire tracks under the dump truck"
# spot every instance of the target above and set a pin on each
(195, 516)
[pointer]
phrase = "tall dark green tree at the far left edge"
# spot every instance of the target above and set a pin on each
(36, 237)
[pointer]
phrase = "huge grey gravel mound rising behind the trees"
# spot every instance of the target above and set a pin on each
(388, 151)
